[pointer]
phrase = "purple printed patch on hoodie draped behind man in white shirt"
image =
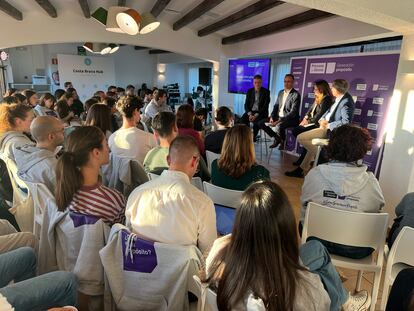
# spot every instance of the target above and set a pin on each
(139, 255)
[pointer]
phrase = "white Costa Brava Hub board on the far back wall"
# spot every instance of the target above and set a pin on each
(88, 74)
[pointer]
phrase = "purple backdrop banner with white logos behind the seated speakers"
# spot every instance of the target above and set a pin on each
(371, 78)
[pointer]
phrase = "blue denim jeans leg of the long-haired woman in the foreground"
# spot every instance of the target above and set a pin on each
(315, 256)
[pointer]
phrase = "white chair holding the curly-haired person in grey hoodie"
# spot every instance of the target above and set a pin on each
(353, 229)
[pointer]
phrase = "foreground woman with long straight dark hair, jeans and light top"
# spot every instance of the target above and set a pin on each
(272, 272)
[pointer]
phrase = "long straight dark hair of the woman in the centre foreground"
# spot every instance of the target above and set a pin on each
(262, 256)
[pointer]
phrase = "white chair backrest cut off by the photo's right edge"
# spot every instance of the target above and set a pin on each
(401, 250)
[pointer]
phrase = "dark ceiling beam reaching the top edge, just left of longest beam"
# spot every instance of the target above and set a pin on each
(250, 11)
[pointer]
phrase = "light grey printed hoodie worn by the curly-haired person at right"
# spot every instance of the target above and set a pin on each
(343, 186)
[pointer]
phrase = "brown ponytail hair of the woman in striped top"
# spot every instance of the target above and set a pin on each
(78, 147)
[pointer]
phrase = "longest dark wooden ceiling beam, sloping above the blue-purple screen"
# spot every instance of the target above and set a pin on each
(301, 19)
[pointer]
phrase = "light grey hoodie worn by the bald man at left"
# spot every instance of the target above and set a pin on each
(36, 165)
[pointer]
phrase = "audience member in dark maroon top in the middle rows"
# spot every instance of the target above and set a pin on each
(185, 123)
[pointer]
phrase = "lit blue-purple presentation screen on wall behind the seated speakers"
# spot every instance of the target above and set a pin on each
(242, 71)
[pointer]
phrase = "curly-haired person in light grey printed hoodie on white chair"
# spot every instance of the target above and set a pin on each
(344, 182)
